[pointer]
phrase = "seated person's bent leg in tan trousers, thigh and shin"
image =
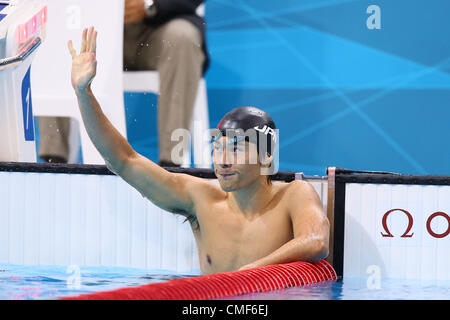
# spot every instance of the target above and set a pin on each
(174, 49)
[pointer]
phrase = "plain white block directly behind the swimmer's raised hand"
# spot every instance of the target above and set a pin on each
(53, 95)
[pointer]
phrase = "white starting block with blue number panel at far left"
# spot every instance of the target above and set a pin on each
(22, 30)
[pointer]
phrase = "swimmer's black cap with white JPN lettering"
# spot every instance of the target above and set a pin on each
(245, 118)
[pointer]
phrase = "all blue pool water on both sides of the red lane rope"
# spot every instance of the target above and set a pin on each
(50, 282)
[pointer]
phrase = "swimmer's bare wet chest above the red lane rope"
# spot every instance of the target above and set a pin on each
(227, 240)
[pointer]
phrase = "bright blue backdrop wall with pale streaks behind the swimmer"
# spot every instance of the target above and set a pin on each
(341, 94)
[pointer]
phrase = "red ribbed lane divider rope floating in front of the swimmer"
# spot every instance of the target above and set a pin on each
(227, 284)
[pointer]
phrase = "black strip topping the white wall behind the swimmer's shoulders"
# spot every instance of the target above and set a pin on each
(286, 176)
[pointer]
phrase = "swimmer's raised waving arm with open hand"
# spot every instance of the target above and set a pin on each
(167, 190)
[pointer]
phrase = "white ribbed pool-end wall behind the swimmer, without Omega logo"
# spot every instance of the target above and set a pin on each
(90, 220)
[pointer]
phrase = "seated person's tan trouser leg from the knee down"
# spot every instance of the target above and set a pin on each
(180, 70)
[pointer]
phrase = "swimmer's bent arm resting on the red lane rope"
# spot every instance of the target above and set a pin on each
(310, 225)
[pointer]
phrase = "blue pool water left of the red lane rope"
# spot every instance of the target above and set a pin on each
(51, 282)
